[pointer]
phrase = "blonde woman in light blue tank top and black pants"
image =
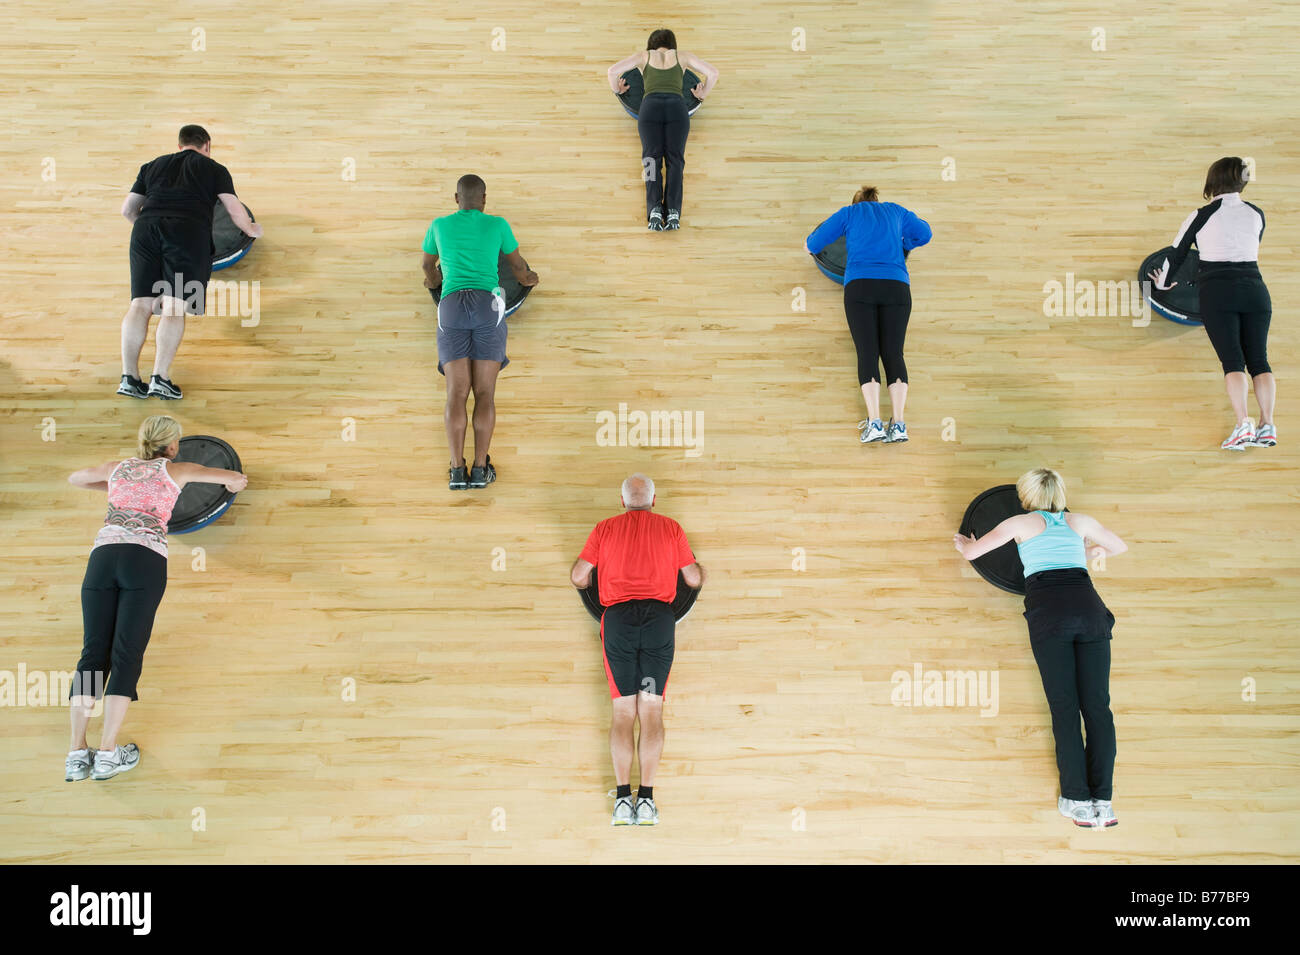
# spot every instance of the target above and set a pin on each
(1069, 633)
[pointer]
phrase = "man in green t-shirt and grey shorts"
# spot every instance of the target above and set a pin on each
(462, 254)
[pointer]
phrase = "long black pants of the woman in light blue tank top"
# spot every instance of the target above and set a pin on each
(1071, 635)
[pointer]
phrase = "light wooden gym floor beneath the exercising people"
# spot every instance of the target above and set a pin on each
(479, 726)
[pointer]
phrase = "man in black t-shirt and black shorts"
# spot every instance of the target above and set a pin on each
(171, 207)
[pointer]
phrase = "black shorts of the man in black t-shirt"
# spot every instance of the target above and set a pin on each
(172, 257)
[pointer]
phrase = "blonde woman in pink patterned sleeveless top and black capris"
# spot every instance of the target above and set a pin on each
(124, 585)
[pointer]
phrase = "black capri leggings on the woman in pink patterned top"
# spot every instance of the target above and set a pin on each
(120, 596)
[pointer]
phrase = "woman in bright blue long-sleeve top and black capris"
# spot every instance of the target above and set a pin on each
(877, 298)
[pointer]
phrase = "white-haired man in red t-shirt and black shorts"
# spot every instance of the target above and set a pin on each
(639, 554)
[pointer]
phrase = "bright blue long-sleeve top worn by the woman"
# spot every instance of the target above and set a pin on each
(878, 236)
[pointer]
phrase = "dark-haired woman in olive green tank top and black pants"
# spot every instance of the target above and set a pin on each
(664, 121)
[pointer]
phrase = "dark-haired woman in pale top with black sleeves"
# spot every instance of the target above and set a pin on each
(1234, 302)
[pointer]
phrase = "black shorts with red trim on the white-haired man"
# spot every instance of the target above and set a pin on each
(639, 643)
